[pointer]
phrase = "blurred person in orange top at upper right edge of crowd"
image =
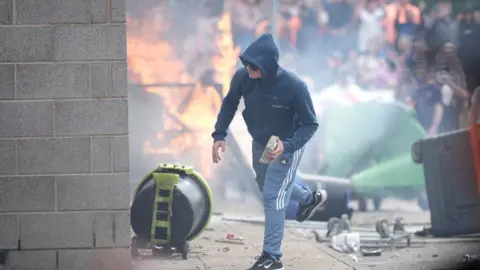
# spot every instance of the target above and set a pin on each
(401, 17)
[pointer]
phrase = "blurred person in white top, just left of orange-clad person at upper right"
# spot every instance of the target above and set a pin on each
(370, 15)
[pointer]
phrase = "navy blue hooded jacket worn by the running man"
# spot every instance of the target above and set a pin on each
(277, 104)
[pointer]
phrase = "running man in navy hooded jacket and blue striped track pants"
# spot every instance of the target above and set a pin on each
(277, 103)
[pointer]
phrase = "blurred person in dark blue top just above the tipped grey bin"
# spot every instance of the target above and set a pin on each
(427, 102)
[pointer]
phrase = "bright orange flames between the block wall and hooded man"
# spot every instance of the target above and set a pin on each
(189, 112)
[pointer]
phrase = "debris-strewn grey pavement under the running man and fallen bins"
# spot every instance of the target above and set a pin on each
(301, 251)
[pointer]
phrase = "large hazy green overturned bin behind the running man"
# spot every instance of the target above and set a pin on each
(370, 143)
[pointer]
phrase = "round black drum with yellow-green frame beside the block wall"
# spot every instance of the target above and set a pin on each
(172, 205)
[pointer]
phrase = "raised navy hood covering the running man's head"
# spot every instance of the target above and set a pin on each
(264, 54)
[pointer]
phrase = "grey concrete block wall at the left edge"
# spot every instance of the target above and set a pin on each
(64, 195)
